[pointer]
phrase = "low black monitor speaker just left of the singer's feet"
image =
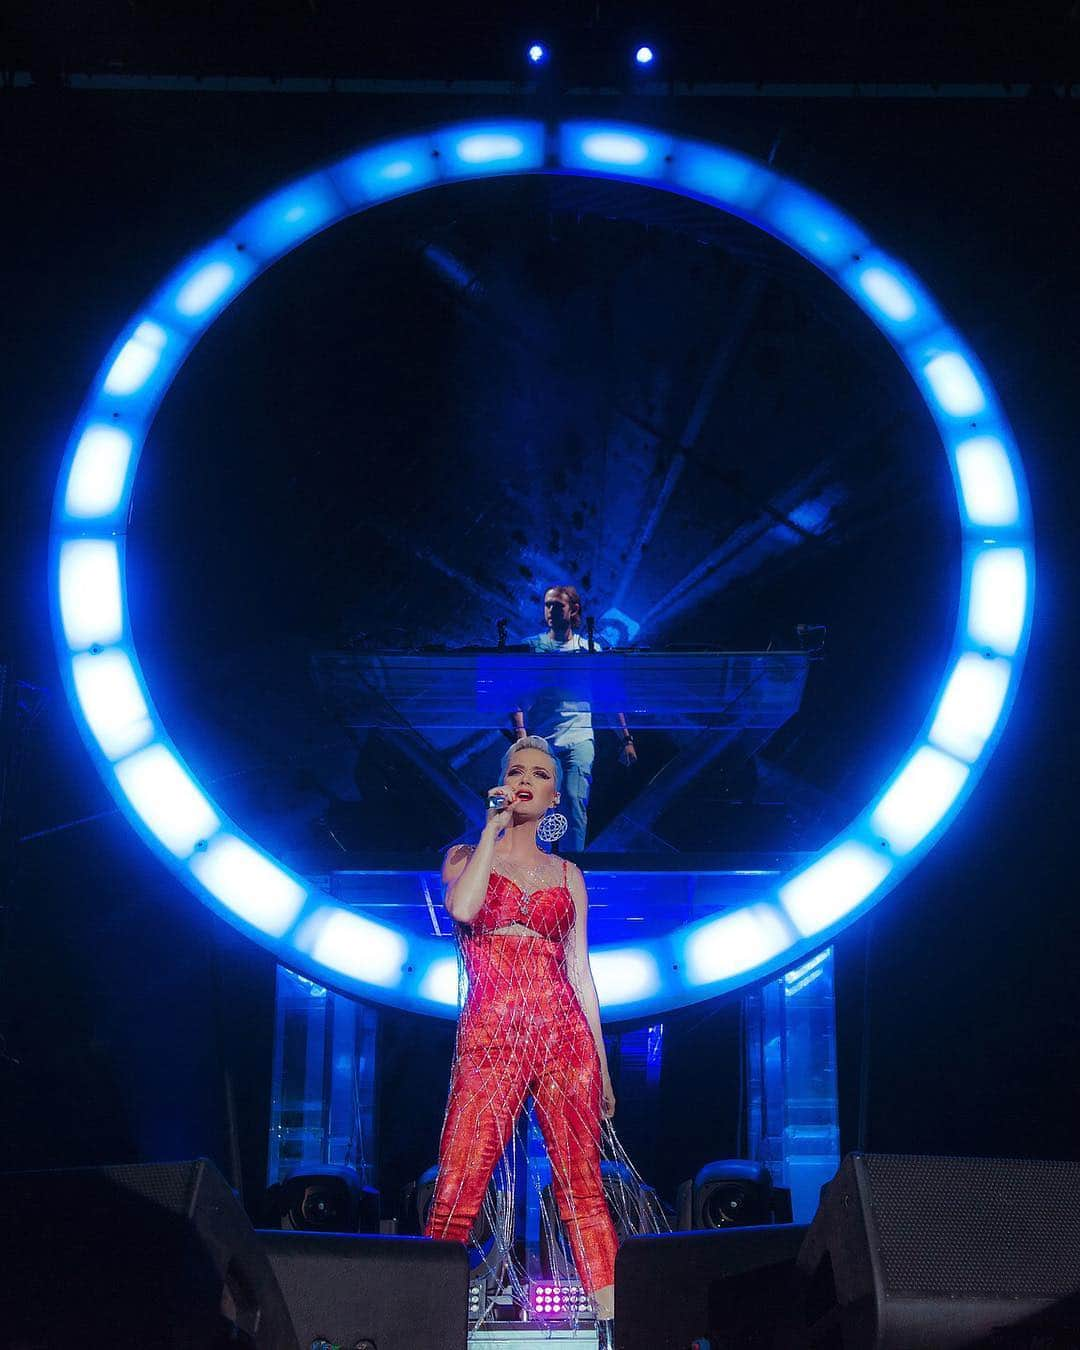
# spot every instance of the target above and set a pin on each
(377, 1293)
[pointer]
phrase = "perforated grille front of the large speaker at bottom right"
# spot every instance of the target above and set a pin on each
(969, 1228)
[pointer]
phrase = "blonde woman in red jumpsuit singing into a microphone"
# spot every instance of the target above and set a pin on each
(531, 1021)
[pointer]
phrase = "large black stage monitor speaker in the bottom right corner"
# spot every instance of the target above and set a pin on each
(912, 1252)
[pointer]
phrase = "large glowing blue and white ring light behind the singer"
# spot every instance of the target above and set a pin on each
(304, 927)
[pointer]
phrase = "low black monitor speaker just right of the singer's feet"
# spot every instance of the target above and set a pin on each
(731, 1287)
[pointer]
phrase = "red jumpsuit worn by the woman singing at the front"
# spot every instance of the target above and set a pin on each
(523, 1032)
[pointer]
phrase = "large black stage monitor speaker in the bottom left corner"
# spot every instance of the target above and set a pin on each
(156, 1256)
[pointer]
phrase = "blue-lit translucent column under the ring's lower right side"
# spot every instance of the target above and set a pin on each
(793, 1113)
